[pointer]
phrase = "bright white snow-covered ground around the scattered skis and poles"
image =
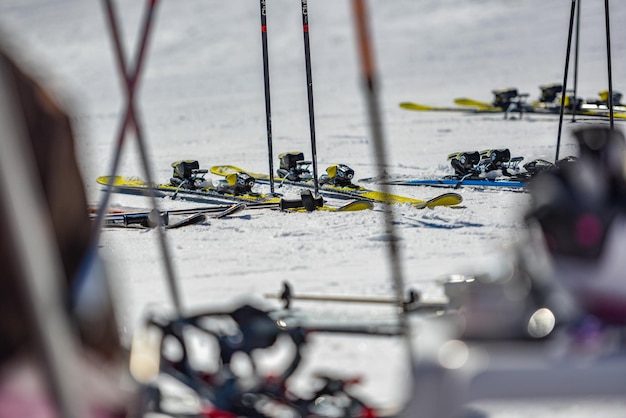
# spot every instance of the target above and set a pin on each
(201, 97)
